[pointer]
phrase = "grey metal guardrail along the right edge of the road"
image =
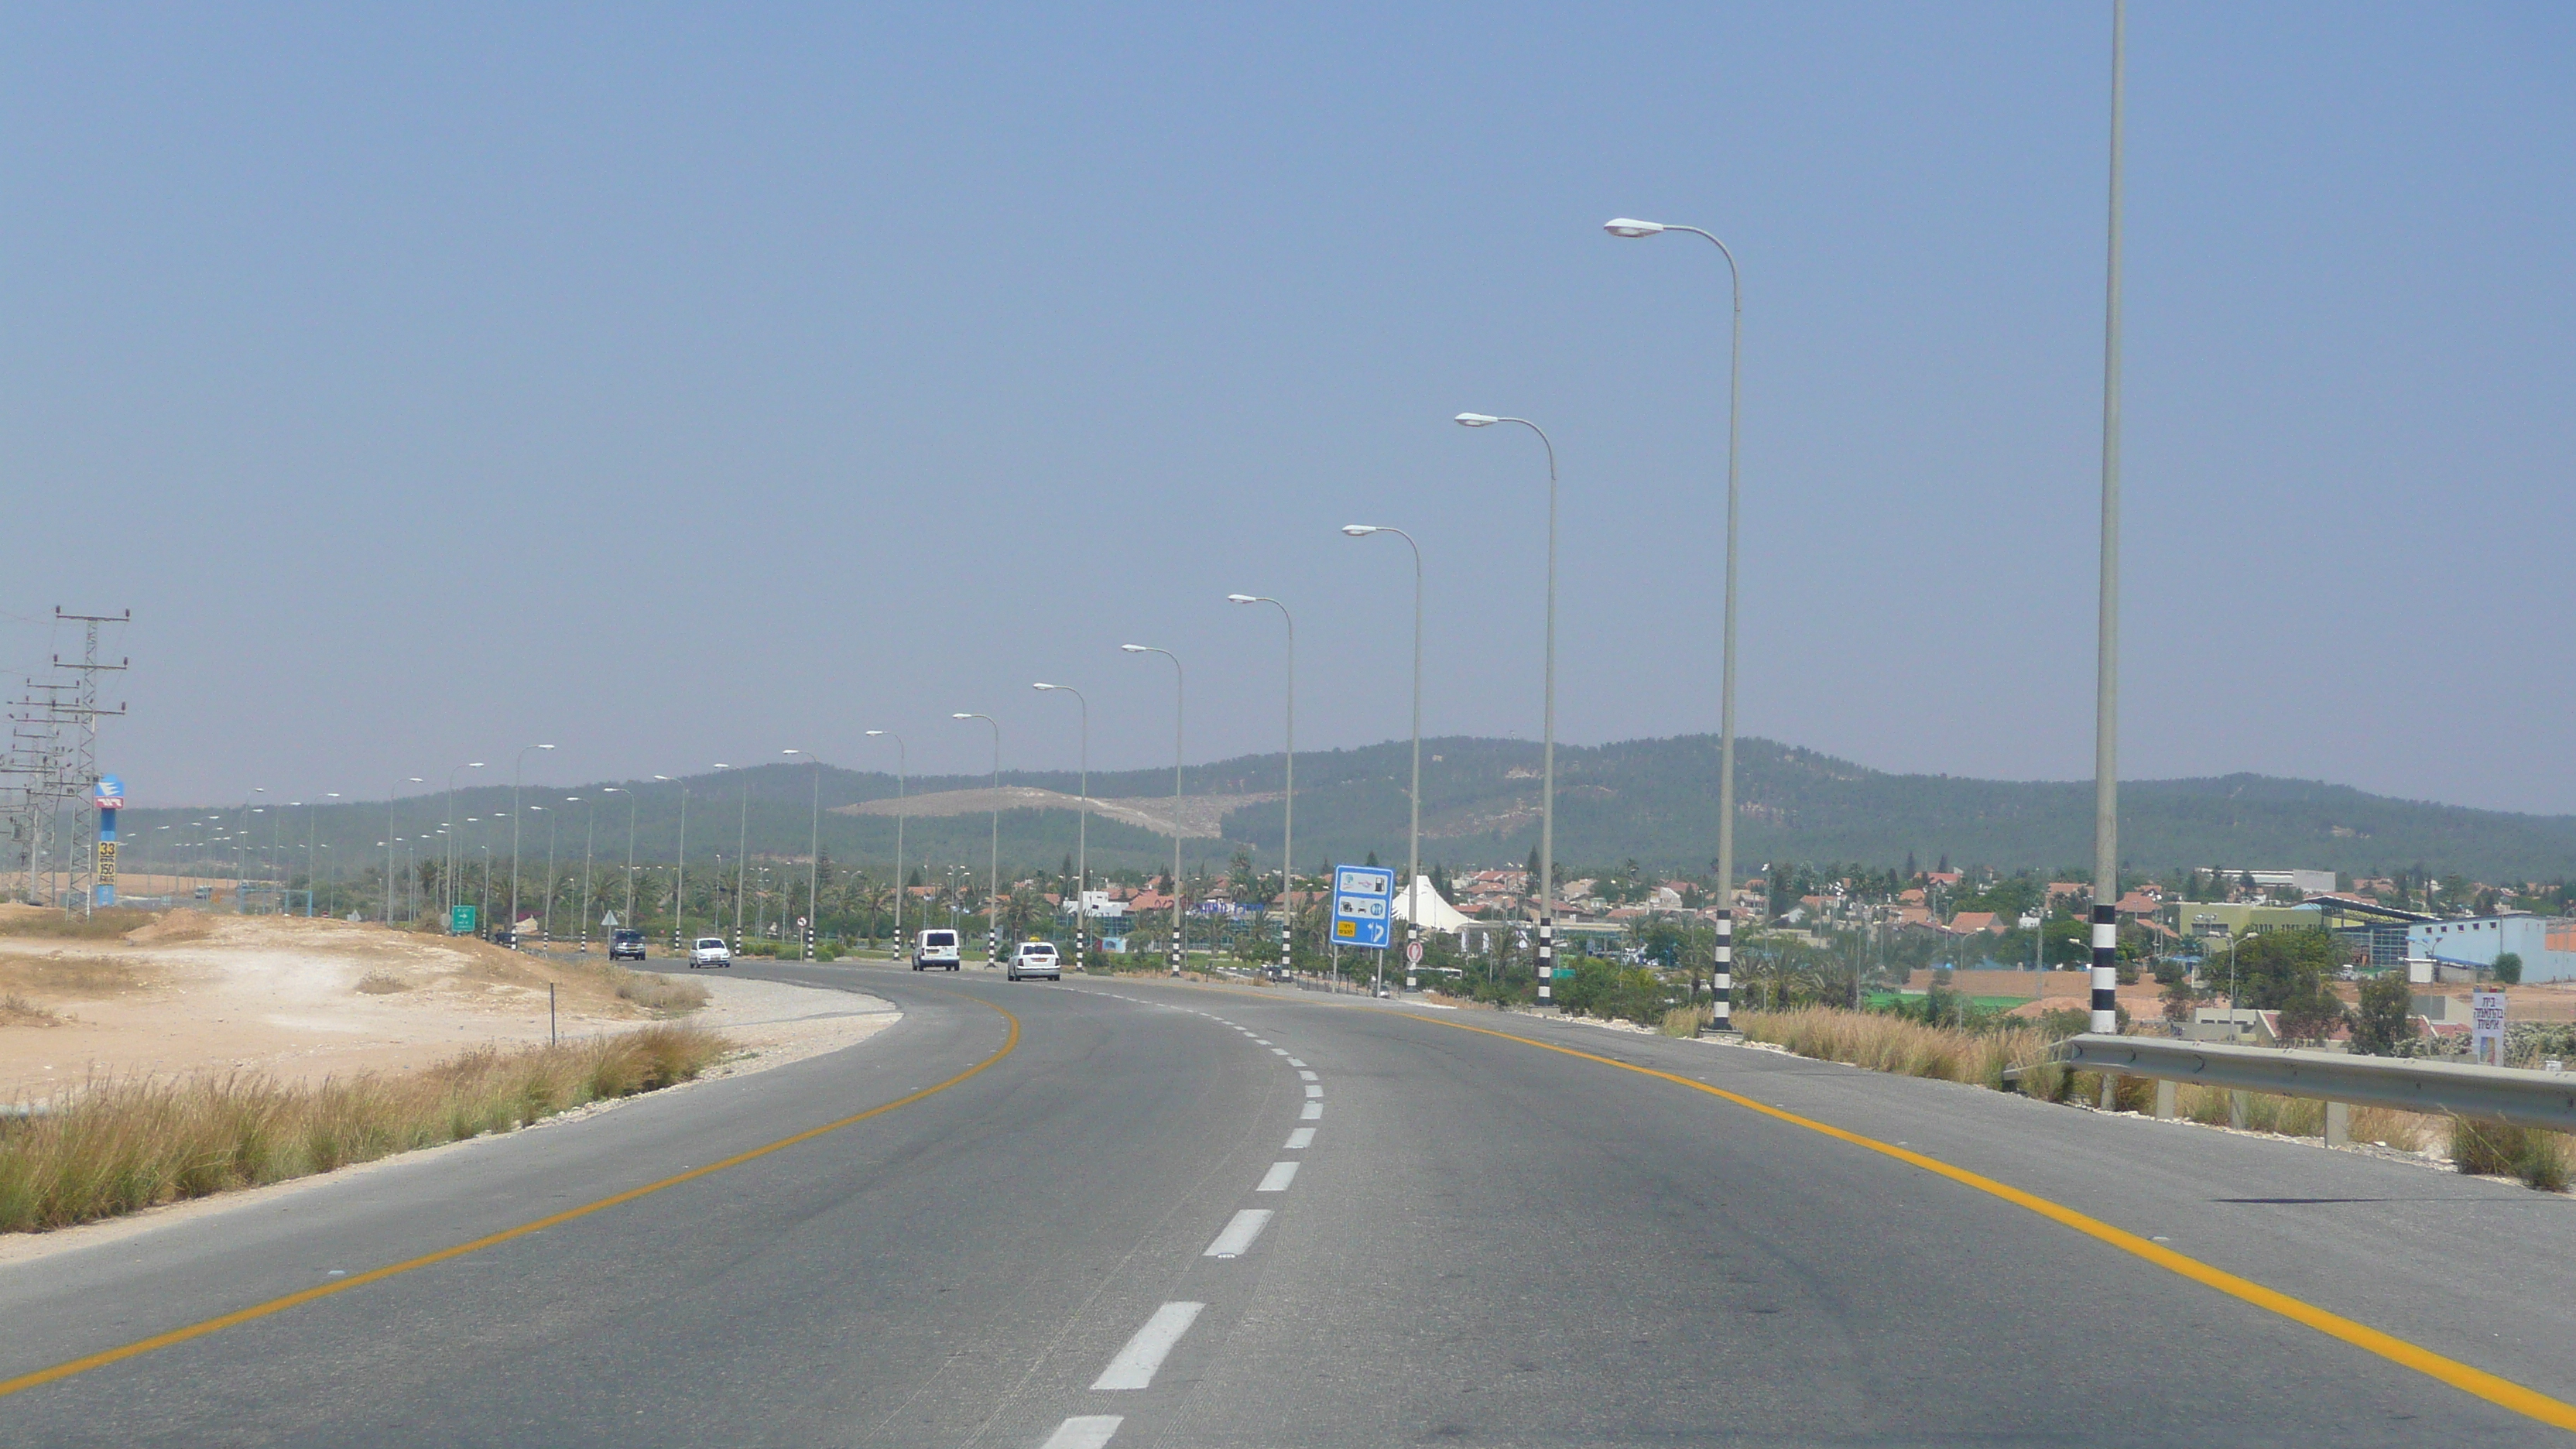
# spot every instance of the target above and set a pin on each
(2454, 1089)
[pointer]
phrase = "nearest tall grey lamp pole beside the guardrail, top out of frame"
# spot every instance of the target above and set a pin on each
(2106, 914)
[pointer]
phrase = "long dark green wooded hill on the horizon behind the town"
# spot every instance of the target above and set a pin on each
(1647, 801)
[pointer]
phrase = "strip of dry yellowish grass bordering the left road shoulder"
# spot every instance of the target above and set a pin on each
(140, 1143)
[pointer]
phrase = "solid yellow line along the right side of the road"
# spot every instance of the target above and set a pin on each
(2454, 1373)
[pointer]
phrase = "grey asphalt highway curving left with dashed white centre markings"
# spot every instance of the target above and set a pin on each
(1119, 1231)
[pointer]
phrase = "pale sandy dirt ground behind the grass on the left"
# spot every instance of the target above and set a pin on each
(310, 999)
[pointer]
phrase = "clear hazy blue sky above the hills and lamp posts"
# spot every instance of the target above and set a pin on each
(684, 385)
